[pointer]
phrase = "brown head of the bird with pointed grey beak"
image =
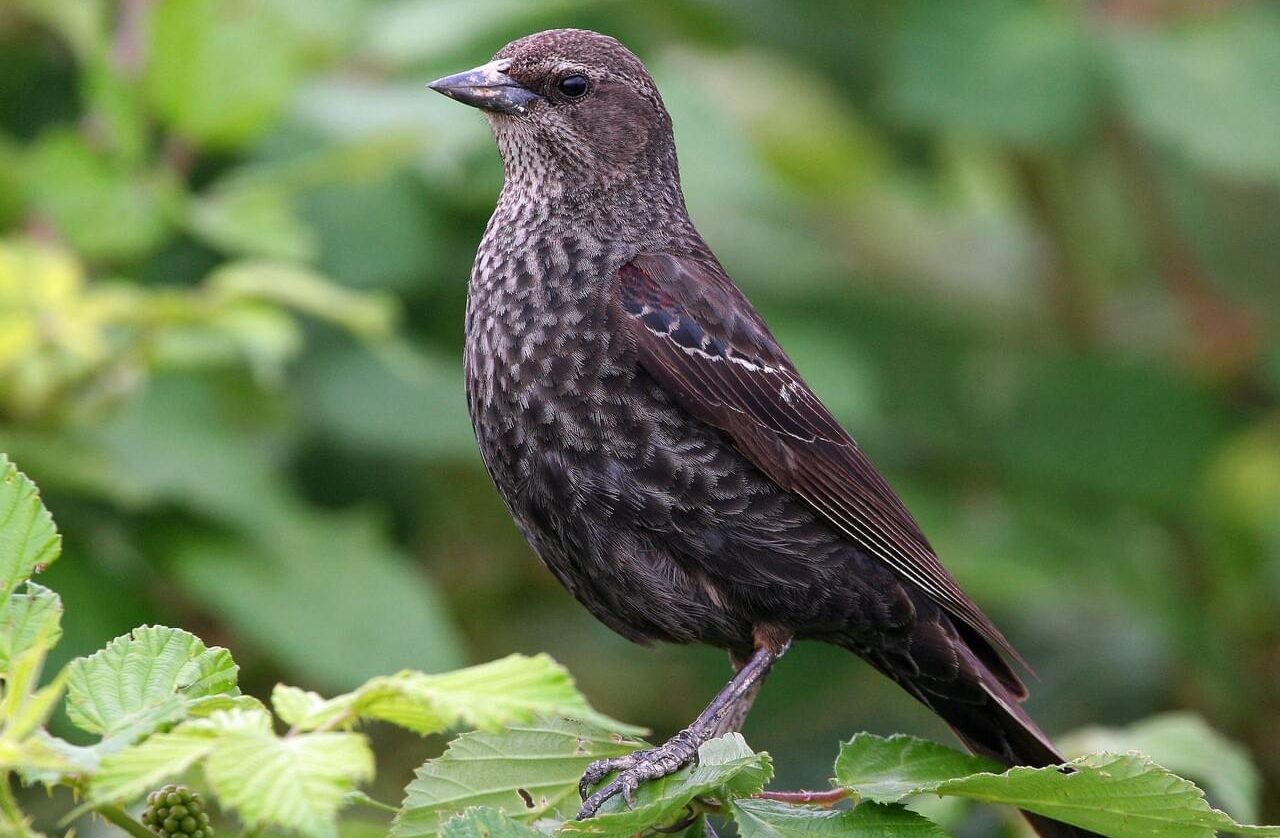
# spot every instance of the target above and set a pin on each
(575, 113)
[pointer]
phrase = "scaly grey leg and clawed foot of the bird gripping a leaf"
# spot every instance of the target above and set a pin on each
(680, 750)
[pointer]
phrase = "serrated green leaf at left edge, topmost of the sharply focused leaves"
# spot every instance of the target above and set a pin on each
(29, 539)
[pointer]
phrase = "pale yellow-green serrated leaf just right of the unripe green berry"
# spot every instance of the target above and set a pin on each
(298, 782)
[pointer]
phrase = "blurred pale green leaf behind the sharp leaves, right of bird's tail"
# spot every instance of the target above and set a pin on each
(1186, 745)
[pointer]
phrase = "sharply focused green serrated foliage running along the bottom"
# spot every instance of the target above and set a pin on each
(164, 706)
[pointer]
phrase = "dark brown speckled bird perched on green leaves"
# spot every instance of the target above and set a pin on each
(660, 451)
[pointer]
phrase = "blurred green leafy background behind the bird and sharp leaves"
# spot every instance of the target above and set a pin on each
(1030, 253)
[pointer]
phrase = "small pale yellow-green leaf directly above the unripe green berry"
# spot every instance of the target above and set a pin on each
(135, 771)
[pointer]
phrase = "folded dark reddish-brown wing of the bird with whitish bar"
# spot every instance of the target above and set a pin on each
(703, 341)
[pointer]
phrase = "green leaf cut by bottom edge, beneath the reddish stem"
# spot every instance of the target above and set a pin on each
(772, 819)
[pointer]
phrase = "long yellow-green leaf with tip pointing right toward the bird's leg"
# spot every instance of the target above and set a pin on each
(488, 697)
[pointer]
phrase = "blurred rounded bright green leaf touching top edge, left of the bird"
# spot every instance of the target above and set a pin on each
(218, 72)
